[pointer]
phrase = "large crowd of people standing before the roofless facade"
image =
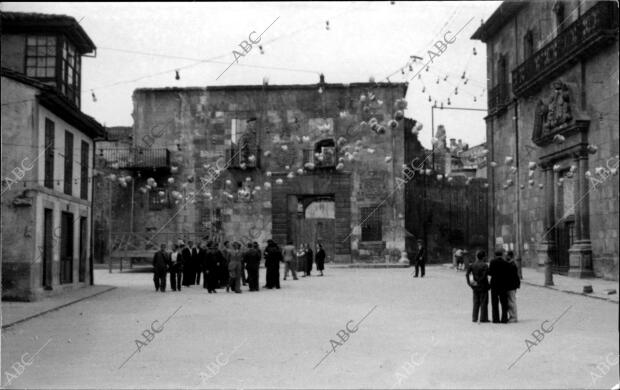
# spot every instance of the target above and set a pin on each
(228, 266)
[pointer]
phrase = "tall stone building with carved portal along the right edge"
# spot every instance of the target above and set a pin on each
(552, 134)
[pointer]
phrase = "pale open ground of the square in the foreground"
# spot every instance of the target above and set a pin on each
(352, 328)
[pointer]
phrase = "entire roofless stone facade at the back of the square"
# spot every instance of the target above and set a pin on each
(300, 163)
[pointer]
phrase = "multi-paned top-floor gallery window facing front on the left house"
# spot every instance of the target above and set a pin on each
(41, 57)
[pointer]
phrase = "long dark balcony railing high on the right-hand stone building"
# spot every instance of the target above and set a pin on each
(595, 28)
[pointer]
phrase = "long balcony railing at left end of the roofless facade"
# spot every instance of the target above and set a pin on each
(128, 158)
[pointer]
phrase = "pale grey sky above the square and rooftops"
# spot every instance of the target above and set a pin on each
(141, 45)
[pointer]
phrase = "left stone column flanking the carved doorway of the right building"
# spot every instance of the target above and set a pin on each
(546, 248)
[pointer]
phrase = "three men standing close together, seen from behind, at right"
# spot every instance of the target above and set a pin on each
(505, 280)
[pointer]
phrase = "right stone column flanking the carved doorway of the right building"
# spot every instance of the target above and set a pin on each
(580, 252)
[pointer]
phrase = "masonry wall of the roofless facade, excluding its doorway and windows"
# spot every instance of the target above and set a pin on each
(197, 128)
